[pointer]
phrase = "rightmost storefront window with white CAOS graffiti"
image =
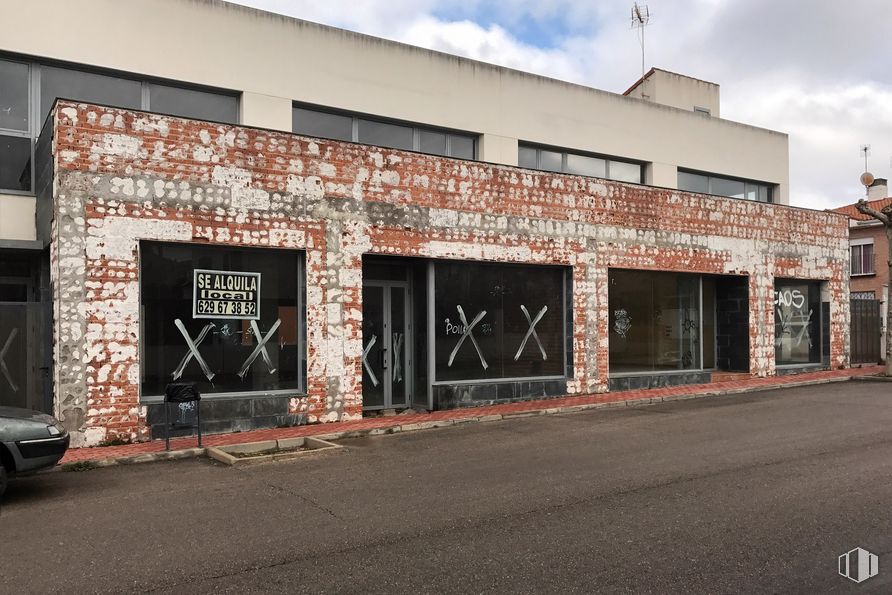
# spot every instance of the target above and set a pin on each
(797, 314)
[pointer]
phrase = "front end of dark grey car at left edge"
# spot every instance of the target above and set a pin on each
(29, 441)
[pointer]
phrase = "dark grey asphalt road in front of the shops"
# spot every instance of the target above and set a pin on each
(756, 493)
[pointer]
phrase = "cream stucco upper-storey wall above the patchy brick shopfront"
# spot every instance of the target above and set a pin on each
(273, 61)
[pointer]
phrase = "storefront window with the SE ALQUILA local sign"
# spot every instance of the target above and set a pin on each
(230, 319)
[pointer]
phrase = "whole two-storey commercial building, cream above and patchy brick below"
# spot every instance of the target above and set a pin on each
(314, 225)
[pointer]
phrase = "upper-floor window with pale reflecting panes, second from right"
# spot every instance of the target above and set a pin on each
(547, 159)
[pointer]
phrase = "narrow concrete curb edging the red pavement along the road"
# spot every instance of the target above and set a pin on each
(429, 425)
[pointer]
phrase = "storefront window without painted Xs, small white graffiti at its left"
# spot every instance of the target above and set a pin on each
(655, 322)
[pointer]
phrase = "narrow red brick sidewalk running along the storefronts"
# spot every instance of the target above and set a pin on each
(439, 418)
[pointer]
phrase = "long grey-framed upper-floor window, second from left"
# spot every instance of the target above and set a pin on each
(383, 133)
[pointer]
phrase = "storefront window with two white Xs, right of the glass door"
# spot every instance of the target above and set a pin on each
(496, 321)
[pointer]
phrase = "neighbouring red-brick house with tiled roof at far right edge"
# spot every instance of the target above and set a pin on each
(869, 274)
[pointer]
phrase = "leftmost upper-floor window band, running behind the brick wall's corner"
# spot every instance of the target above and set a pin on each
(29, 88)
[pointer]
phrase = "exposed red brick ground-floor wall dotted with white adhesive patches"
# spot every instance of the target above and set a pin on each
(126, 176)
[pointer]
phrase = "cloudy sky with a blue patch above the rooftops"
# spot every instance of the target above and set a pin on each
(819, 70)
